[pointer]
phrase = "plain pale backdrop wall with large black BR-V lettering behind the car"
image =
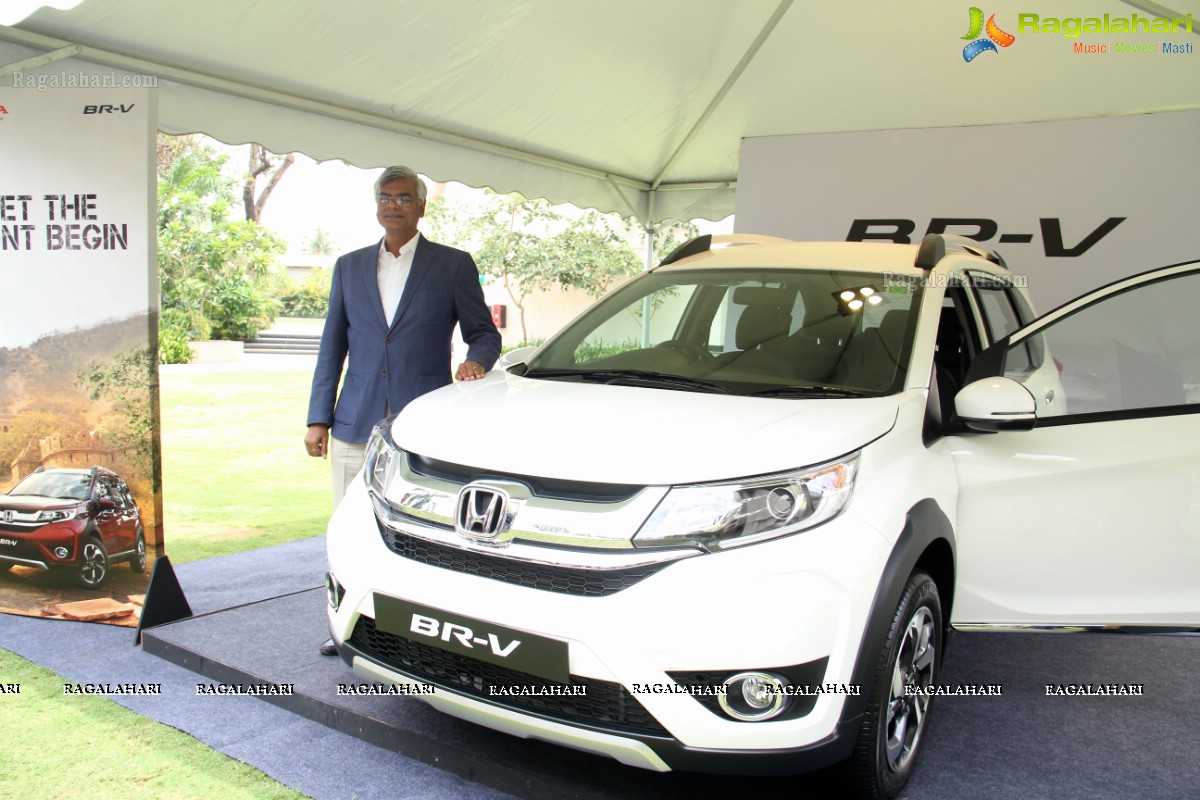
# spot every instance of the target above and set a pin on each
(1072, 206)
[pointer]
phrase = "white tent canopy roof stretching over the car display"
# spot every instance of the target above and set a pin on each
(623, 106)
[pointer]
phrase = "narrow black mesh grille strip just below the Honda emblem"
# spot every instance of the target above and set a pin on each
(561, 580)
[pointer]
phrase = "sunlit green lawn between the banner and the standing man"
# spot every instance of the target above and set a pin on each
(236, 476)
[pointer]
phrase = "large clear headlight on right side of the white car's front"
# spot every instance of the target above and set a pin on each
(717, 516)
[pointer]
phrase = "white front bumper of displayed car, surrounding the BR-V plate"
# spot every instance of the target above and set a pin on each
(755, 609)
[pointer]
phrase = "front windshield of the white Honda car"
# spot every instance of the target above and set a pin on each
(772, 333)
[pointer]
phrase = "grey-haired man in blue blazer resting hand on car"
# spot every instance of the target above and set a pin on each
(393, 309)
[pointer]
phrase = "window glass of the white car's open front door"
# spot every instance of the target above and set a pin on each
(1137, 350)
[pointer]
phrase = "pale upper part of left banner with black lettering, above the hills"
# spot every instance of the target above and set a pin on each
(82, 257)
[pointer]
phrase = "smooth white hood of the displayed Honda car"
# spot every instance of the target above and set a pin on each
(631, 435)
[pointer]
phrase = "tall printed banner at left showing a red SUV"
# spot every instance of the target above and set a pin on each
(80, 476)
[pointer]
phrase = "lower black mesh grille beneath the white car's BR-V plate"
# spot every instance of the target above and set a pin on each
(604, 705)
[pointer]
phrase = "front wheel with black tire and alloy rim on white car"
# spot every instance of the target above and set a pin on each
(897, 719)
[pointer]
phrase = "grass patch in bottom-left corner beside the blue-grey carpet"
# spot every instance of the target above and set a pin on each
(88, 747)
